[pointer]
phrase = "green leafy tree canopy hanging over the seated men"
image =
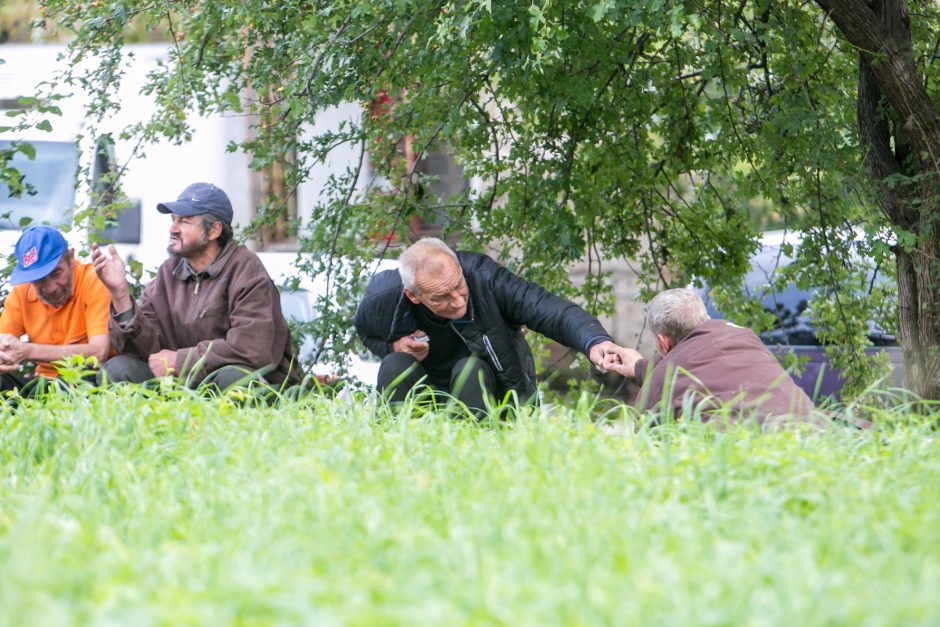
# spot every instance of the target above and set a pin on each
(653, 130)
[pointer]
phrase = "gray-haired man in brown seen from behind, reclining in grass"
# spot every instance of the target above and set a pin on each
(712, 362)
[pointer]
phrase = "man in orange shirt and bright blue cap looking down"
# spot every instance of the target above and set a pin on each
(58, 302)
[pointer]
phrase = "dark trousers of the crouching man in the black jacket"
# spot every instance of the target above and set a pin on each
(470, 379)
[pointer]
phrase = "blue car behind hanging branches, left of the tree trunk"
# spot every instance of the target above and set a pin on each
(794, 331)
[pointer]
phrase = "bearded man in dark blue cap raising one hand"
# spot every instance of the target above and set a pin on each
(212, 314)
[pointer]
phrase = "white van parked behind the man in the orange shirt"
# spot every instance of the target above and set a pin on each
(66, 172)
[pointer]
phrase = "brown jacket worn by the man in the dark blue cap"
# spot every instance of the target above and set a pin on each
(228, 314)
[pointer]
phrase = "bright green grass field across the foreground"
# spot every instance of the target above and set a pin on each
(137, 509)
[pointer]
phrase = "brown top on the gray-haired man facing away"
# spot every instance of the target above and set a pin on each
(721, 361)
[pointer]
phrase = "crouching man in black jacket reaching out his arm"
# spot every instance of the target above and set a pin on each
(454, 320)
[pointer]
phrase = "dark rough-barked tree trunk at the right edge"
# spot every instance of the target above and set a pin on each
(901, 139)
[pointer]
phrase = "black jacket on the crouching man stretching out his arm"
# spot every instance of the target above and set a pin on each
(500, 304)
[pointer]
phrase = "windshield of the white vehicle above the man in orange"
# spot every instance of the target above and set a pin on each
(51, 175)
